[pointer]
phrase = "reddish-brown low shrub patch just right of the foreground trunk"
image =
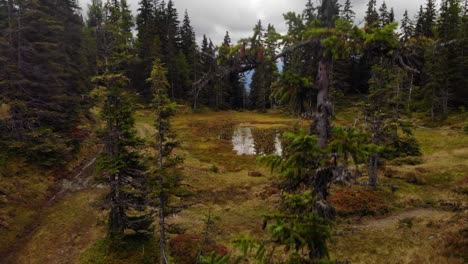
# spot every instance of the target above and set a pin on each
(360, 201)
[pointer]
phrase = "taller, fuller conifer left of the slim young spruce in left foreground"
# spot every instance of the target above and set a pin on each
(121, 163)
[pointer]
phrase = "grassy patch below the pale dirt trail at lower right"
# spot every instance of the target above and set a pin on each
(424, 242)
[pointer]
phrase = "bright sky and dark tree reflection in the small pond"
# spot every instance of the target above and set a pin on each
(248, 141)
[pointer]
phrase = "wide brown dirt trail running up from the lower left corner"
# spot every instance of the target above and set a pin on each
(56, 215)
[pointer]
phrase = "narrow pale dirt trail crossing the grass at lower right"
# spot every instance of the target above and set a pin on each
(391, 221)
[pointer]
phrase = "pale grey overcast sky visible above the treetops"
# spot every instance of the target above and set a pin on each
(215, 17)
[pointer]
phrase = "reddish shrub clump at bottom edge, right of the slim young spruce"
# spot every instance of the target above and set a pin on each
(186, 247)
